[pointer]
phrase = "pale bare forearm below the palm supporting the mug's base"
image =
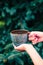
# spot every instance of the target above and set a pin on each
(37, 60)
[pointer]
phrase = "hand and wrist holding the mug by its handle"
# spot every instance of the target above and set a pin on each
(35, 36)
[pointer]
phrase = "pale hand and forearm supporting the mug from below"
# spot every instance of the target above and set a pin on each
(32, 53)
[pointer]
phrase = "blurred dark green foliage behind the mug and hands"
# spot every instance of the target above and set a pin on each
(19, 14)
